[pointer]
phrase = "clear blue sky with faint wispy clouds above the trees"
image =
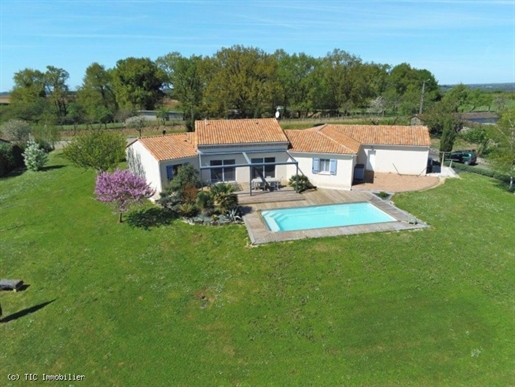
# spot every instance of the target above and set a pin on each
(459, 41)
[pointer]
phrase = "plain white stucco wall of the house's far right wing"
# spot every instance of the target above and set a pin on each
(405, 160)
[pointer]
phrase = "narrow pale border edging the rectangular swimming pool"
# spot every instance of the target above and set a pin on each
(259, 232)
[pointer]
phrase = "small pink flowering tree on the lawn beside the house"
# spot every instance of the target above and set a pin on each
(122, 189)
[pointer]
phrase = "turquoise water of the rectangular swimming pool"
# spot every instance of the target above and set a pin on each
(335, 215)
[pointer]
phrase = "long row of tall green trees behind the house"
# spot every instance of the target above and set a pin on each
(238, 81)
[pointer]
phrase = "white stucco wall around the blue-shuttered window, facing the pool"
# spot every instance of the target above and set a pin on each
(344, 170)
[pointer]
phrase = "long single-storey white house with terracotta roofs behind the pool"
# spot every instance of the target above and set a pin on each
(258, 150)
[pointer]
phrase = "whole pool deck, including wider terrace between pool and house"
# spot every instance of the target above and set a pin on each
(259, 232)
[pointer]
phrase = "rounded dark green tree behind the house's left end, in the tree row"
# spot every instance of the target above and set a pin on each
(137, 83)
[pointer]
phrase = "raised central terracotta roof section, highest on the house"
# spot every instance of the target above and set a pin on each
(248, 131)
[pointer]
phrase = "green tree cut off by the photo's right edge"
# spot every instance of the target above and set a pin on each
(503, 154)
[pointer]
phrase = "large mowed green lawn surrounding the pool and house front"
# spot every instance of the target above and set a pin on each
(197, 306)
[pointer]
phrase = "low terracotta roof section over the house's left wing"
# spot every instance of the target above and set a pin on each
(171, 146)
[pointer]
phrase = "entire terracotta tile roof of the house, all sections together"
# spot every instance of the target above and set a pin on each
(337, 139)
